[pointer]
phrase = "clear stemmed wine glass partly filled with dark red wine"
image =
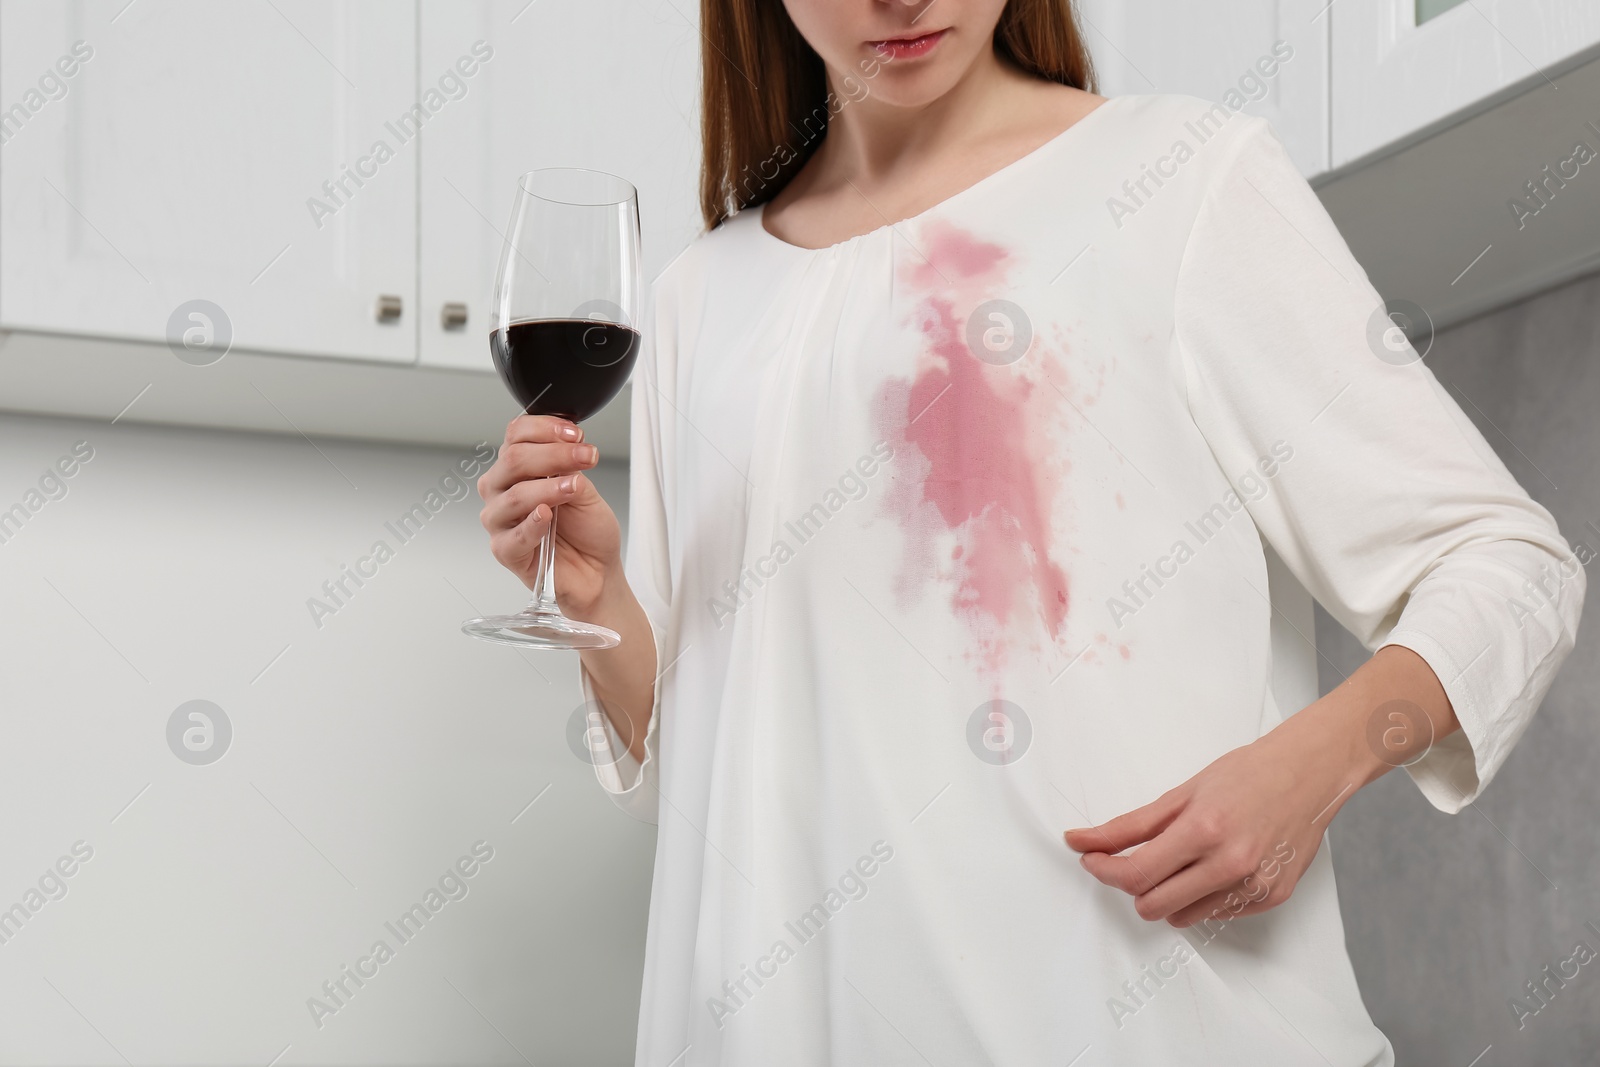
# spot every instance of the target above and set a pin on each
(564, 342)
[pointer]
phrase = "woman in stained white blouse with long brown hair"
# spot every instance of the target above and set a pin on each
(956, 454)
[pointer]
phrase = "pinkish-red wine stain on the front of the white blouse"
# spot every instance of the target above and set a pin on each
(978, 478)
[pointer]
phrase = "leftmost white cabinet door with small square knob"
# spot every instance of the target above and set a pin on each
(186, 159)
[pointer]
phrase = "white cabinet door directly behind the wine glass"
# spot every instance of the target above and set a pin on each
(610, 86)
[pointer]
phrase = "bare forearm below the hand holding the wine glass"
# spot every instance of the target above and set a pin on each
(623, 677)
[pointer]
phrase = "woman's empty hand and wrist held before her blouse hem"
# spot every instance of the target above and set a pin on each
(1238, 837)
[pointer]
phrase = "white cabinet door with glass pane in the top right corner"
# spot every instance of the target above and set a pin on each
(1394, 76)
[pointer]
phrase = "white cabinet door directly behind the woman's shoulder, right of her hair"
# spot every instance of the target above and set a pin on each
(1273, 54)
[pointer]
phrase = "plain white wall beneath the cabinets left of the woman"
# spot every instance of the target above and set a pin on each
(366, 761)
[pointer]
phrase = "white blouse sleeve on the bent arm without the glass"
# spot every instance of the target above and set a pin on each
(1391, 508)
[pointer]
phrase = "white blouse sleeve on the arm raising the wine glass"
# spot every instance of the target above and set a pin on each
(631, 783)
